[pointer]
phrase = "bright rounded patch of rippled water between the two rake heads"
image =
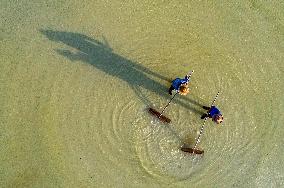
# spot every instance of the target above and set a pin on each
(158, 146)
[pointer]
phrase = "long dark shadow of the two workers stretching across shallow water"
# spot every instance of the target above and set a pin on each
(101, 56)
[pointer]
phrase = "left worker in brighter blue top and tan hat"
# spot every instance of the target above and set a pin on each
(180, 85)
